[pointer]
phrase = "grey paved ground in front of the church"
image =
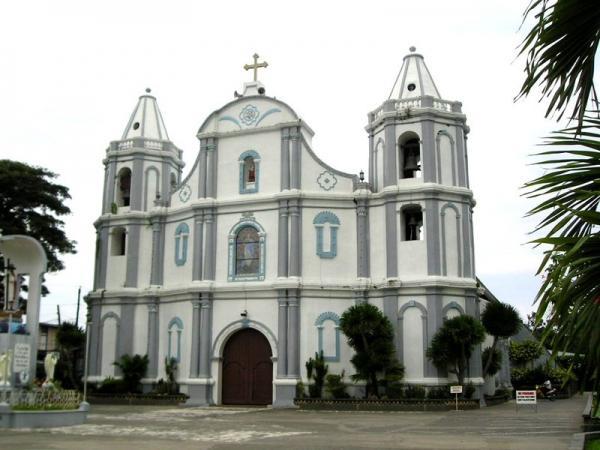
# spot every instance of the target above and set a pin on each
(155, 428)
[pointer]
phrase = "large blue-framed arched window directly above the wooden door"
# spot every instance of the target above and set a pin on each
(247, 252)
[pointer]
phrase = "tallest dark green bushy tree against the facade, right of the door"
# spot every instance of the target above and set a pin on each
(371, 335)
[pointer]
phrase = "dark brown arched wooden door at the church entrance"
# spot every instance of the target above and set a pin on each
(247, 369)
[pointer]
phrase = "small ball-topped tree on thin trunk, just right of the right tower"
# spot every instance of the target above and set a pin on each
(501, 321)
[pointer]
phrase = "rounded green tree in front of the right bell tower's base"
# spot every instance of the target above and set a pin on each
(453, 344)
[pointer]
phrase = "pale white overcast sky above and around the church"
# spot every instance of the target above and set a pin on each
(71, 73)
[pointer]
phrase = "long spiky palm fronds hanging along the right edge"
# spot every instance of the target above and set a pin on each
(561, 48)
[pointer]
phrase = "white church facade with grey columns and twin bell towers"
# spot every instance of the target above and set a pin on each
(242, 268)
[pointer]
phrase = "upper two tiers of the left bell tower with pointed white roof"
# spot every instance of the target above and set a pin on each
(141, 170)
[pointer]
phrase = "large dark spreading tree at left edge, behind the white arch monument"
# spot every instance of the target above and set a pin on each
(31, 204)
